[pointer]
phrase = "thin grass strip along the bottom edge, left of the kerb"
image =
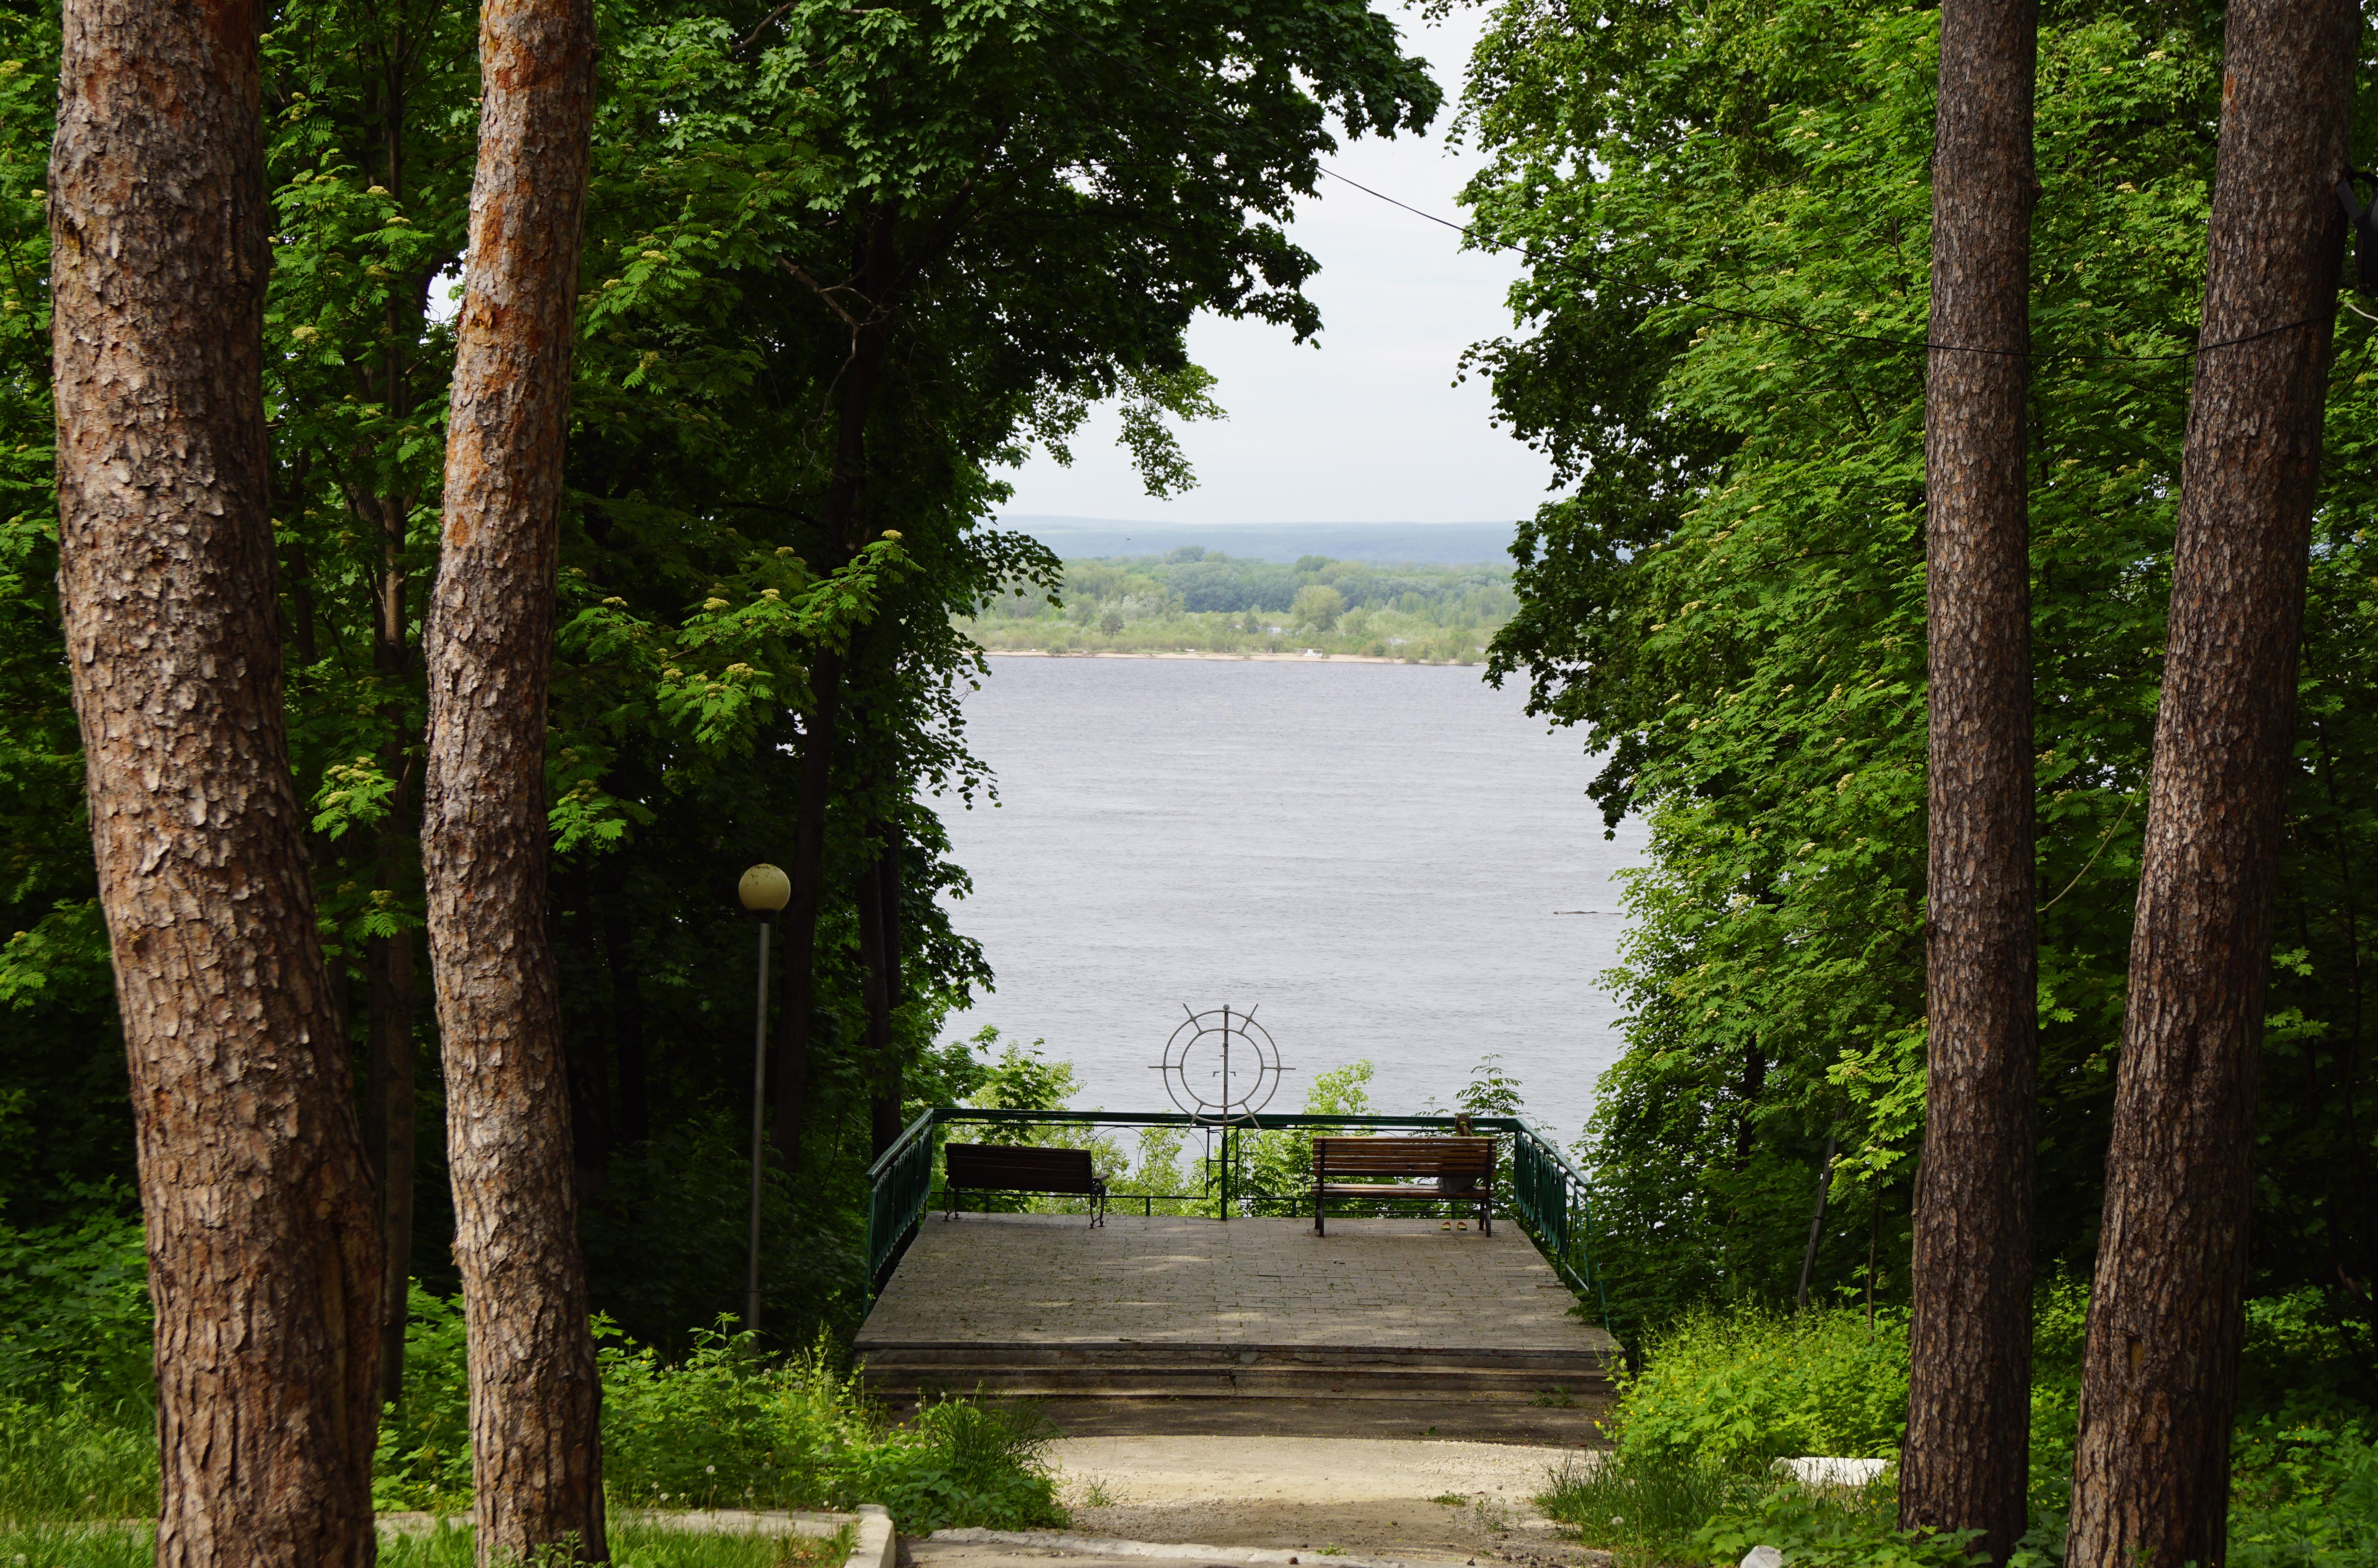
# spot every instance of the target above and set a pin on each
(636, 1543)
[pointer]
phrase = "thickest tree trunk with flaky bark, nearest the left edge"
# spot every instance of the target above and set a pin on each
(263, 1241)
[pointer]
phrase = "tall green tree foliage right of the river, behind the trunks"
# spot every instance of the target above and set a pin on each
(1720, 213)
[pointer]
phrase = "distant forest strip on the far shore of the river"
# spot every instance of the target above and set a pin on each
(1238, 605)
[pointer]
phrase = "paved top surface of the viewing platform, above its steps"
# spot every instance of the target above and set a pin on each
(1388, 1284)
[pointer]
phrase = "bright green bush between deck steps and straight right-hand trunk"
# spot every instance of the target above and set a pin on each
(1740, 1389)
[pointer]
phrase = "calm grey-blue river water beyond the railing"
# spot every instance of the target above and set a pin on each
(1371, 856)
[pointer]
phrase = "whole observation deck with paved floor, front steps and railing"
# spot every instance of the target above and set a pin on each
(1164, 1324)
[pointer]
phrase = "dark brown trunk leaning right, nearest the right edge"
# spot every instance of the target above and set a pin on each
(2160, 1372)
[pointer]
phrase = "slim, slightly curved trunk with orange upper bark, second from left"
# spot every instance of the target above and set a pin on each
(534, 1386)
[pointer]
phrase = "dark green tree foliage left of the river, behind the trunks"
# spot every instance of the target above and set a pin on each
(1024, 258)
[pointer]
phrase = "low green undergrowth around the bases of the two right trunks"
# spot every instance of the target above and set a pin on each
(1728, 1393)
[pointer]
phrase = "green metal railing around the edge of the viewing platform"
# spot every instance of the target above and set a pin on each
(1547, 1194)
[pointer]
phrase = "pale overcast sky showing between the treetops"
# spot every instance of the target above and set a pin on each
(1364, 429)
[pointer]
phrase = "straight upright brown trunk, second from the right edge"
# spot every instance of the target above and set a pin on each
(1970, 1389)
